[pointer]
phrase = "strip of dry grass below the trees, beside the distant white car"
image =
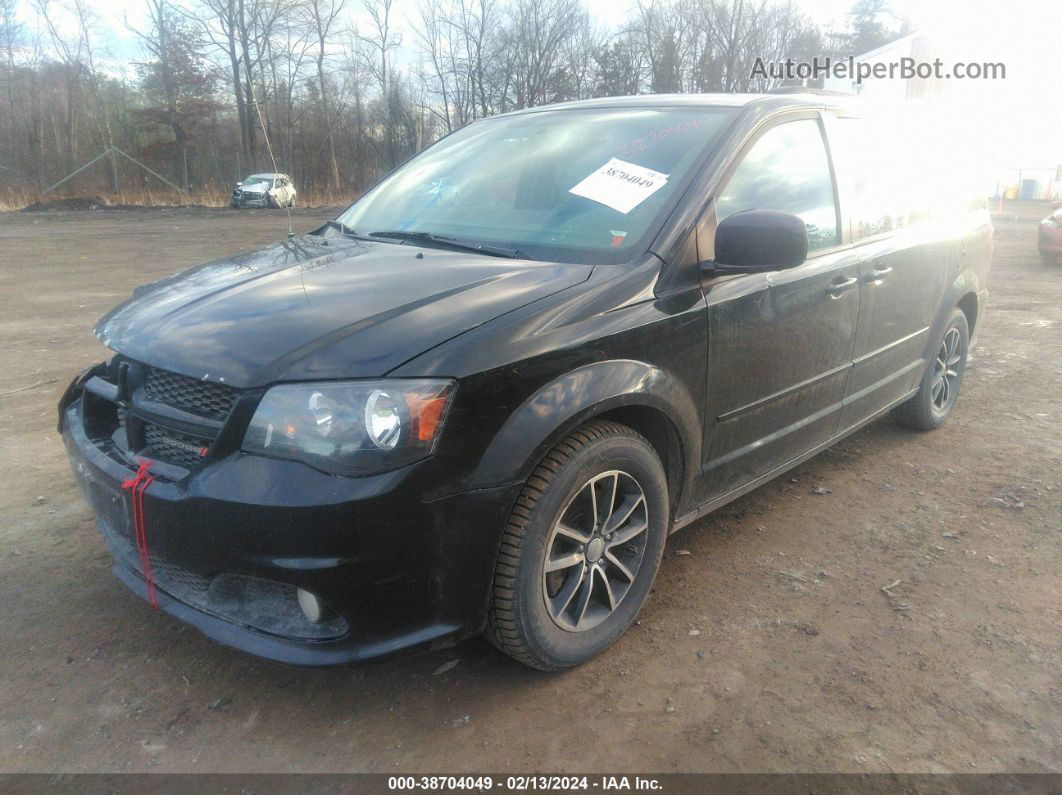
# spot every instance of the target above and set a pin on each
(15, 199)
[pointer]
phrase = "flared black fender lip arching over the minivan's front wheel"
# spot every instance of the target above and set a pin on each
(635, 394)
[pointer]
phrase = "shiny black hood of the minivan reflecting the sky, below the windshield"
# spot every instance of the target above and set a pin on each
(319, 308)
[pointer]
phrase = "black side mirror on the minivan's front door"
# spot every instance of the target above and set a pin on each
(755, 241)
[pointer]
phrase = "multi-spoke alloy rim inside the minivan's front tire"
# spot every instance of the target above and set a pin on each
(595, 551)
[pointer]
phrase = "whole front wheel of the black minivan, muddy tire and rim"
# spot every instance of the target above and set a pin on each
(581, 549)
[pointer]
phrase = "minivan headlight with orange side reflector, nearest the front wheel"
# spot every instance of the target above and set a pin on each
(351, 428)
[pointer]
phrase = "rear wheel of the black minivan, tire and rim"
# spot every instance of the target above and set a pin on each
(931, 407)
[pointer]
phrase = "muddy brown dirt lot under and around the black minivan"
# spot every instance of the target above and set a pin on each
(769, 647)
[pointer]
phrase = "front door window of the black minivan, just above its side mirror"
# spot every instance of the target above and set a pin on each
(787, 170)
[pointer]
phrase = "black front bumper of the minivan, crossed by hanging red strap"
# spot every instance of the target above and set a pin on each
(232, 543)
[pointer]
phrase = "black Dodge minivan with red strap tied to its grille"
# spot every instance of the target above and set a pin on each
(482, 397)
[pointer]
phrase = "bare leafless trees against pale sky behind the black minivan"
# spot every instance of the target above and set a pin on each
(338, 92)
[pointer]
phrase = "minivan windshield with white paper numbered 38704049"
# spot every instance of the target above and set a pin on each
(570, 186)
